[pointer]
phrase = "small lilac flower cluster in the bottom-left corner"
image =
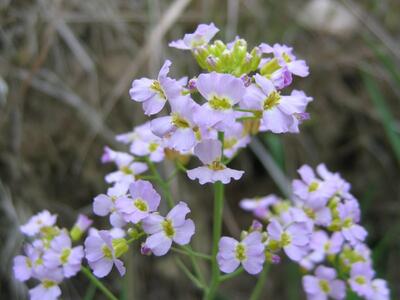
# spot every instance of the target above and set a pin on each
(50, 256)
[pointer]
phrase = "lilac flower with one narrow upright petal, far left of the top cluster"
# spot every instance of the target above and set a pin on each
(154, 93)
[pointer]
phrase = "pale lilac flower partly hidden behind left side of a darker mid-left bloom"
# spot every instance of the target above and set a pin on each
(104, 205)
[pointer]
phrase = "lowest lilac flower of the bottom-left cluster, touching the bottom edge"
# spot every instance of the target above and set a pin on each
(48, 289)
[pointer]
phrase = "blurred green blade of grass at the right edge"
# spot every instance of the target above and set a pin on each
(384, 113)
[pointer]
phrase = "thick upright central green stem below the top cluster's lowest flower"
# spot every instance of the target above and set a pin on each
(217, 229)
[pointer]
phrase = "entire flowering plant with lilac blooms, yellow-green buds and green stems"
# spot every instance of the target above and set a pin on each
(211, 116)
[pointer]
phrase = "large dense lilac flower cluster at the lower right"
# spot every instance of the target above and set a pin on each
(318, 228)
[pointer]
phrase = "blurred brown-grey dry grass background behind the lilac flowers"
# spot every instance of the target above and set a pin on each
(65, 71)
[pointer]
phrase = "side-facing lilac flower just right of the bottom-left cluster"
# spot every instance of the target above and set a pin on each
(101, 255)
